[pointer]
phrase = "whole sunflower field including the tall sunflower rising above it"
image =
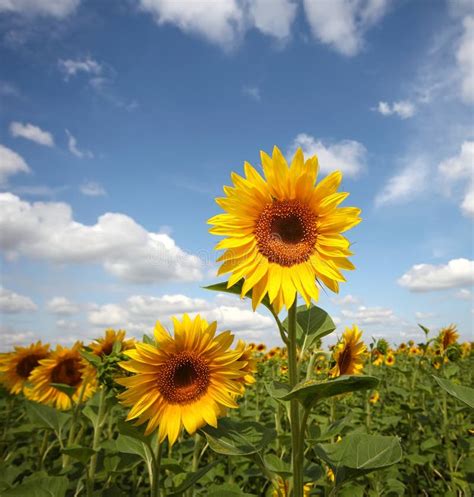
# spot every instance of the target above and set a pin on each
(189, 411)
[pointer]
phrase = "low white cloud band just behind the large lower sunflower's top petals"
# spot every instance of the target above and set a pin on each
(140, 312)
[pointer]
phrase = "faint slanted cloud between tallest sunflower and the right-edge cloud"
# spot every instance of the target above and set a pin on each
(405, 185)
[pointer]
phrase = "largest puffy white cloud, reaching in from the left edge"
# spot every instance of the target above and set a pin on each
(47, 231)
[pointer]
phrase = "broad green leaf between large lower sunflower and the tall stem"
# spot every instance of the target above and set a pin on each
(238, 438)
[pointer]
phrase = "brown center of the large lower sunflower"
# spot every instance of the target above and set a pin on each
(184, 378)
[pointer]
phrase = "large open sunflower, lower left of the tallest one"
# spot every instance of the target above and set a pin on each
(188, 380)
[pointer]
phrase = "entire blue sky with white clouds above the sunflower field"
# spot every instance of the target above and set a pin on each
(121, 121)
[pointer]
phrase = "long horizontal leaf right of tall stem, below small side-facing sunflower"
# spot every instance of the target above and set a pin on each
(310, 392)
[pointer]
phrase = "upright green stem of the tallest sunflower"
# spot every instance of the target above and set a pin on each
(297, 451)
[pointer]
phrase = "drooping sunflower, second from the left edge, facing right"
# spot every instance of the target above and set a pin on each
(65, 366)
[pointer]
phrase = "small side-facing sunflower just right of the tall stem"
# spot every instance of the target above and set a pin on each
(349, 353)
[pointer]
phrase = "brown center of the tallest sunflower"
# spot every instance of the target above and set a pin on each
(286, 232)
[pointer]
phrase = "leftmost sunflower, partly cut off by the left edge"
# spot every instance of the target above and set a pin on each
(16, 367)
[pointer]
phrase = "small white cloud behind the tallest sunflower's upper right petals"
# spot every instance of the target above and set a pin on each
(349, 156)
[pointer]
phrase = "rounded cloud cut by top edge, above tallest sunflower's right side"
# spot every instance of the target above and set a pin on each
(342, 24)
